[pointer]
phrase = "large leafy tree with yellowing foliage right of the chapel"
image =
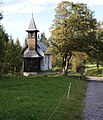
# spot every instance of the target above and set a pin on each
(71, 29)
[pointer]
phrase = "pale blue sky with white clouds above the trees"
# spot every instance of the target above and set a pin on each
(17, 15)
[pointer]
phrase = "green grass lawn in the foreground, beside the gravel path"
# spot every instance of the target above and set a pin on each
(36, 97)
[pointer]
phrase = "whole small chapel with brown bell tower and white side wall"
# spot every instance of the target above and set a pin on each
(35, 58)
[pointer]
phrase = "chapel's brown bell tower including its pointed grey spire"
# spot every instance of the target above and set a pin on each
(32, 35)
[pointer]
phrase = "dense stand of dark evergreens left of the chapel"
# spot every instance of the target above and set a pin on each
(10, 53)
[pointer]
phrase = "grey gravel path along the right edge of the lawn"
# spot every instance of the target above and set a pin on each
(94, 99)
